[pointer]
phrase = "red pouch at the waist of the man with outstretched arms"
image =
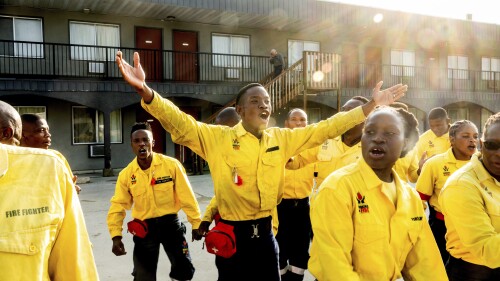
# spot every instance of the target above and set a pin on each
(221, 241)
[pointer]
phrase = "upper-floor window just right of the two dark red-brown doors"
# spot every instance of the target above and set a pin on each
(238, 46)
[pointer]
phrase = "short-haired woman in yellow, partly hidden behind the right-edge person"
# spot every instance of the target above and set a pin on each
(435, 172)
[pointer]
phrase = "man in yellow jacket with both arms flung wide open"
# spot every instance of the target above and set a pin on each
(247, 163)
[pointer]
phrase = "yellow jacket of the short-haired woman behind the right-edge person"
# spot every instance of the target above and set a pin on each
(434, 174)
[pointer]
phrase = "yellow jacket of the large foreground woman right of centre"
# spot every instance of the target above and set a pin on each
(360, 234)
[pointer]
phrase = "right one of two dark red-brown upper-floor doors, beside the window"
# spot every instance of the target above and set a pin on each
(185, 56)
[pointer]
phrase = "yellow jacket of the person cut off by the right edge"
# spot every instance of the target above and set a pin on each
(470, 202)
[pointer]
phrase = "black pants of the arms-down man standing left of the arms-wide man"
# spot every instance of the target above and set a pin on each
(170, 233)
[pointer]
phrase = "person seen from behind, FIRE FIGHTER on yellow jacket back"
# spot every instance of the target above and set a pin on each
(43, 234)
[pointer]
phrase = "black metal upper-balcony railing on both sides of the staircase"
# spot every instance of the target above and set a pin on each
(19, 59)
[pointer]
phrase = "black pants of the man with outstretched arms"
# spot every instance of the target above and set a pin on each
(256, 256)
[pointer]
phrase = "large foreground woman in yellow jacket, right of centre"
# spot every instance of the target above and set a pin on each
(367, 224)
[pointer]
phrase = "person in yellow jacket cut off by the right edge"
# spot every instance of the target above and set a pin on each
(470, 202)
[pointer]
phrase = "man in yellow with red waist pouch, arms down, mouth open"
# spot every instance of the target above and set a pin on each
(156, 188)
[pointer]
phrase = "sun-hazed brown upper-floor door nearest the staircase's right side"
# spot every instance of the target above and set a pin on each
(350, 67)
